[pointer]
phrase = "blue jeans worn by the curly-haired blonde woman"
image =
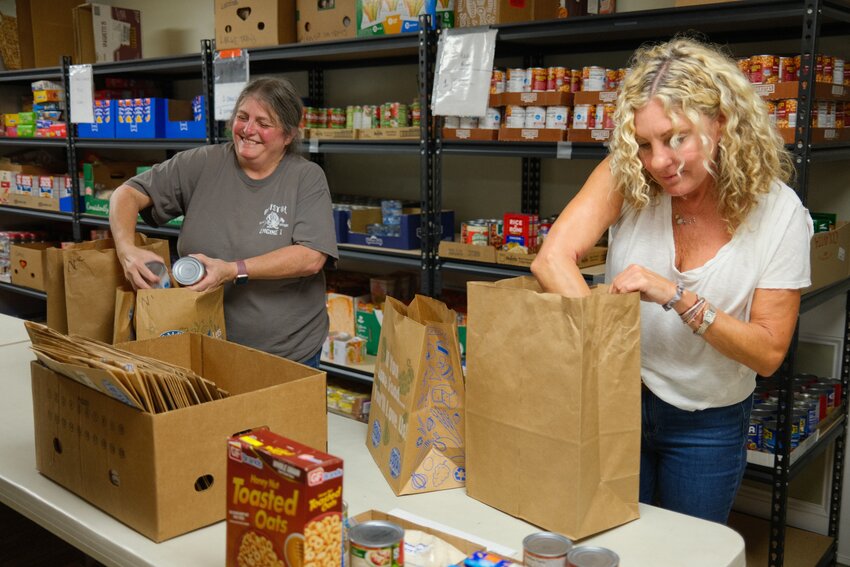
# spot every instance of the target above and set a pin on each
(692, 461)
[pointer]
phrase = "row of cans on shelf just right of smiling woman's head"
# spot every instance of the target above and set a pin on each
(363, 117)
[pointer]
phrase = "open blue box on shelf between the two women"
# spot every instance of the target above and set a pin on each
(408, 234)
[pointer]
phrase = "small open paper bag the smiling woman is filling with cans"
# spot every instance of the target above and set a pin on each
(163, 312)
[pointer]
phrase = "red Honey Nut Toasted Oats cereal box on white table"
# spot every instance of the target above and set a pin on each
(284, 503)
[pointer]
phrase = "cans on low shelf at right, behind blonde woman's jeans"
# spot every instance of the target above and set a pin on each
(814, 399)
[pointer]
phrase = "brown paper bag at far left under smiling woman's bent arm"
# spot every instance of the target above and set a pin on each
(82, 279)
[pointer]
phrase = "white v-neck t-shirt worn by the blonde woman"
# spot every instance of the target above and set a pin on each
(770, 250)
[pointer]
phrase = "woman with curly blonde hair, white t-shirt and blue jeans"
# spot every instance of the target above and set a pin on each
(702, 224)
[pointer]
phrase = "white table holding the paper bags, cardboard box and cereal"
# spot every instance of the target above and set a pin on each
(659, 537)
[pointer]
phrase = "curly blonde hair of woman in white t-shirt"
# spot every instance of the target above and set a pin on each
(693, 79)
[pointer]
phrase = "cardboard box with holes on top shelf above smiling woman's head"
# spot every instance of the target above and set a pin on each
(254, 23)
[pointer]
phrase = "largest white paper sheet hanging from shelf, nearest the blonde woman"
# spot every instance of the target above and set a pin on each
(462, 72)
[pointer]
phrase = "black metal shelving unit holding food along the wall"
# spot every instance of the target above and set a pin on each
(734, 22)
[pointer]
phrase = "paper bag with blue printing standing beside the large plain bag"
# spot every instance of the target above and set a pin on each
(416, 420)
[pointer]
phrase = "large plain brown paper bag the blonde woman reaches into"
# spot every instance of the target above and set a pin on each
(553, 405)
